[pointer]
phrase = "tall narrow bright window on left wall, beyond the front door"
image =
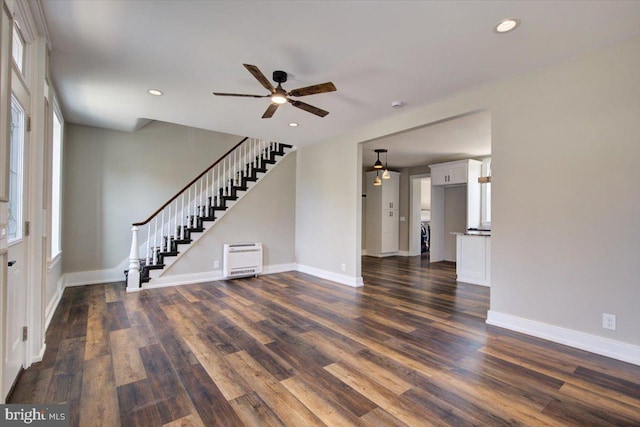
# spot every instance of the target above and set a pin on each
(56, 181)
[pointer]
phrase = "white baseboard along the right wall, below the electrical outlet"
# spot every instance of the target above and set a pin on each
(592, 343)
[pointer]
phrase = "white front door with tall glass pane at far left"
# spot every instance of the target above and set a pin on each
(16, 313)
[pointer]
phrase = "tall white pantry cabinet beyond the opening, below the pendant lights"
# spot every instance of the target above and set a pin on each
(382, 215)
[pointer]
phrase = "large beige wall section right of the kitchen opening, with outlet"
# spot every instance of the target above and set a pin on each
(566, 199)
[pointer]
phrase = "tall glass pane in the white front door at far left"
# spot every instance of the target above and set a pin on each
(16, 164)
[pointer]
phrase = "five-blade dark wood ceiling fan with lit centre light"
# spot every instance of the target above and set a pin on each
(280, 96)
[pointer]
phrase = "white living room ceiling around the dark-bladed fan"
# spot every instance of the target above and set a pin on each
(106, 54)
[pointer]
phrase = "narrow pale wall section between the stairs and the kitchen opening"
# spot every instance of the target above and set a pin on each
(328, 208)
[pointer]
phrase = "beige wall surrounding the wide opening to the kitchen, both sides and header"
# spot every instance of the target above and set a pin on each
(566, 200)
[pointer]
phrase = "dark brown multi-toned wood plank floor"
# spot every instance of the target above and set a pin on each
(411, 348)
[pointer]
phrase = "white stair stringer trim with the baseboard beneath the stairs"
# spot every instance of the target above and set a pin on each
(167, 277)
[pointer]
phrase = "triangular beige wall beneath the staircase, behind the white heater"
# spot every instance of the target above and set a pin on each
(265, 214)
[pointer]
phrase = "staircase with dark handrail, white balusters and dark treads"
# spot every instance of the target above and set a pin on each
(193, 210)
